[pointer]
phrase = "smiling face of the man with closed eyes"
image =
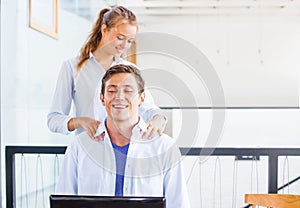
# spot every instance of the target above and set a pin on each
(121, 98)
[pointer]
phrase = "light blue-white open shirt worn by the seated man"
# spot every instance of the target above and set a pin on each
(153, 168)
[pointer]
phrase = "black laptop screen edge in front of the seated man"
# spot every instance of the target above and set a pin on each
(87, 201)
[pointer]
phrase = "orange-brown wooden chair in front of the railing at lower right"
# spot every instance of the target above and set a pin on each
(273, 200)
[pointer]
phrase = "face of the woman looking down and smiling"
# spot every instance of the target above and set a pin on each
(117, 39)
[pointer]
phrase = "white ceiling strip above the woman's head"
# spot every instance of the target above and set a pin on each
(89, 8)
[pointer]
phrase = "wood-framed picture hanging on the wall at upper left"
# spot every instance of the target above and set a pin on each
(43, 16)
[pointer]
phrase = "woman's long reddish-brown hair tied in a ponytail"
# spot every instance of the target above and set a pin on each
(109, 17)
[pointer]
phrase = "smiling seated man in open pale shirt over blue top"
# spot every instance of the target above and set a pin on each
(124, 164)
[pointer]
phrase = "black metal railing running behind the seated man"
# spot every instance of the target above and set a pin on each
(239, 153)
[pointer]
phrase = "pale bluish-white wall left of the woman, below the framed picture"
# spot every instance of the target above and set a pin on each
(30, 63)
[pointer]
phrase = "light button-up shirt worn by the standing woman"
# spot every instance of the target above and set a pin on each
(83, 89)
